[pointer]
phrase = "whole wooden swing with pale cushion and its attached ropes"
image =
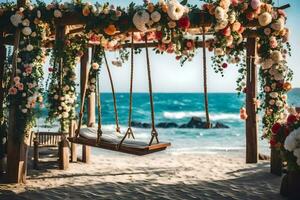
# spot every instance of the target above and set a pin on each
(110, 141)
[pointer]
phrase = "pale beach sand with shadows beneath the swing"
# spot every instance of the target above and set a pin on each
(156, 176)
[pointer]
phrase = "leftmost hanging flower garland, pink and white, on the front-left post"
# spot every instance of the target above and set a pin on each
(26, 89)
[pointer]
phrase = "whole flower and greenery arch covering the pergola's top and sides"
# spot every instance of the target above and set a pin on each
(172, 26)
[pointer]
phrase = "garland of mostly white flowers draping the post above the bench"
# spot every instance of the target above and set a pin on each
(62, 87)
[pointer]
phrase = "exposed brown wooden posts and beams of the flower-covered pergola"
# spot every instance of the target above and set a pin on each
(17, 151)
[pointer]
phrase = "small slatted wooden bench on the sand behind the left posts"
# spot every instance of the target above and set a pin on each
(44, 140)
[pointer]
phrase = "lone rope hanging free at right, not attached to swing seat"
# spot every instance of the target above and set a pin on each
(208, 125)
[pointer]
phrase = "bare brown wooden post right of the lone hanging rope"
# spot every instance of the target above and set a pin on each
(251, 122)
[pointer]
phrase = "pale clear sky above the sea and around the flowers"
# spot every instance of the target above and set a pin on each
(169, 76)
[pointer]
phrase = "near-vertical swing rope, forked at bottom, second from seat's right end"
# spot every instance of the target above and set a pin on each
(129, 131)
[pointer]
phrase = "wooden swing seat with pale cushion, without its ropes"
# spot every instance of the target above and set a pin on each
(110, 140)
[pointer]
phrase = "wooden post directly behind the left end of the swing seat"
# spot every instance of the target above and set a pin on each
(86, 150)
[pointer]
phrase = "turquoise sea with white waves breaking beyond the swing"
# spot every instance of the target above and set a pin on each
(179, 108)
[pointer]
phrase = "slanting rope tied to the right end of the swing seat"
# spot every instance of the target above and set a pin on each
(154, 133)
